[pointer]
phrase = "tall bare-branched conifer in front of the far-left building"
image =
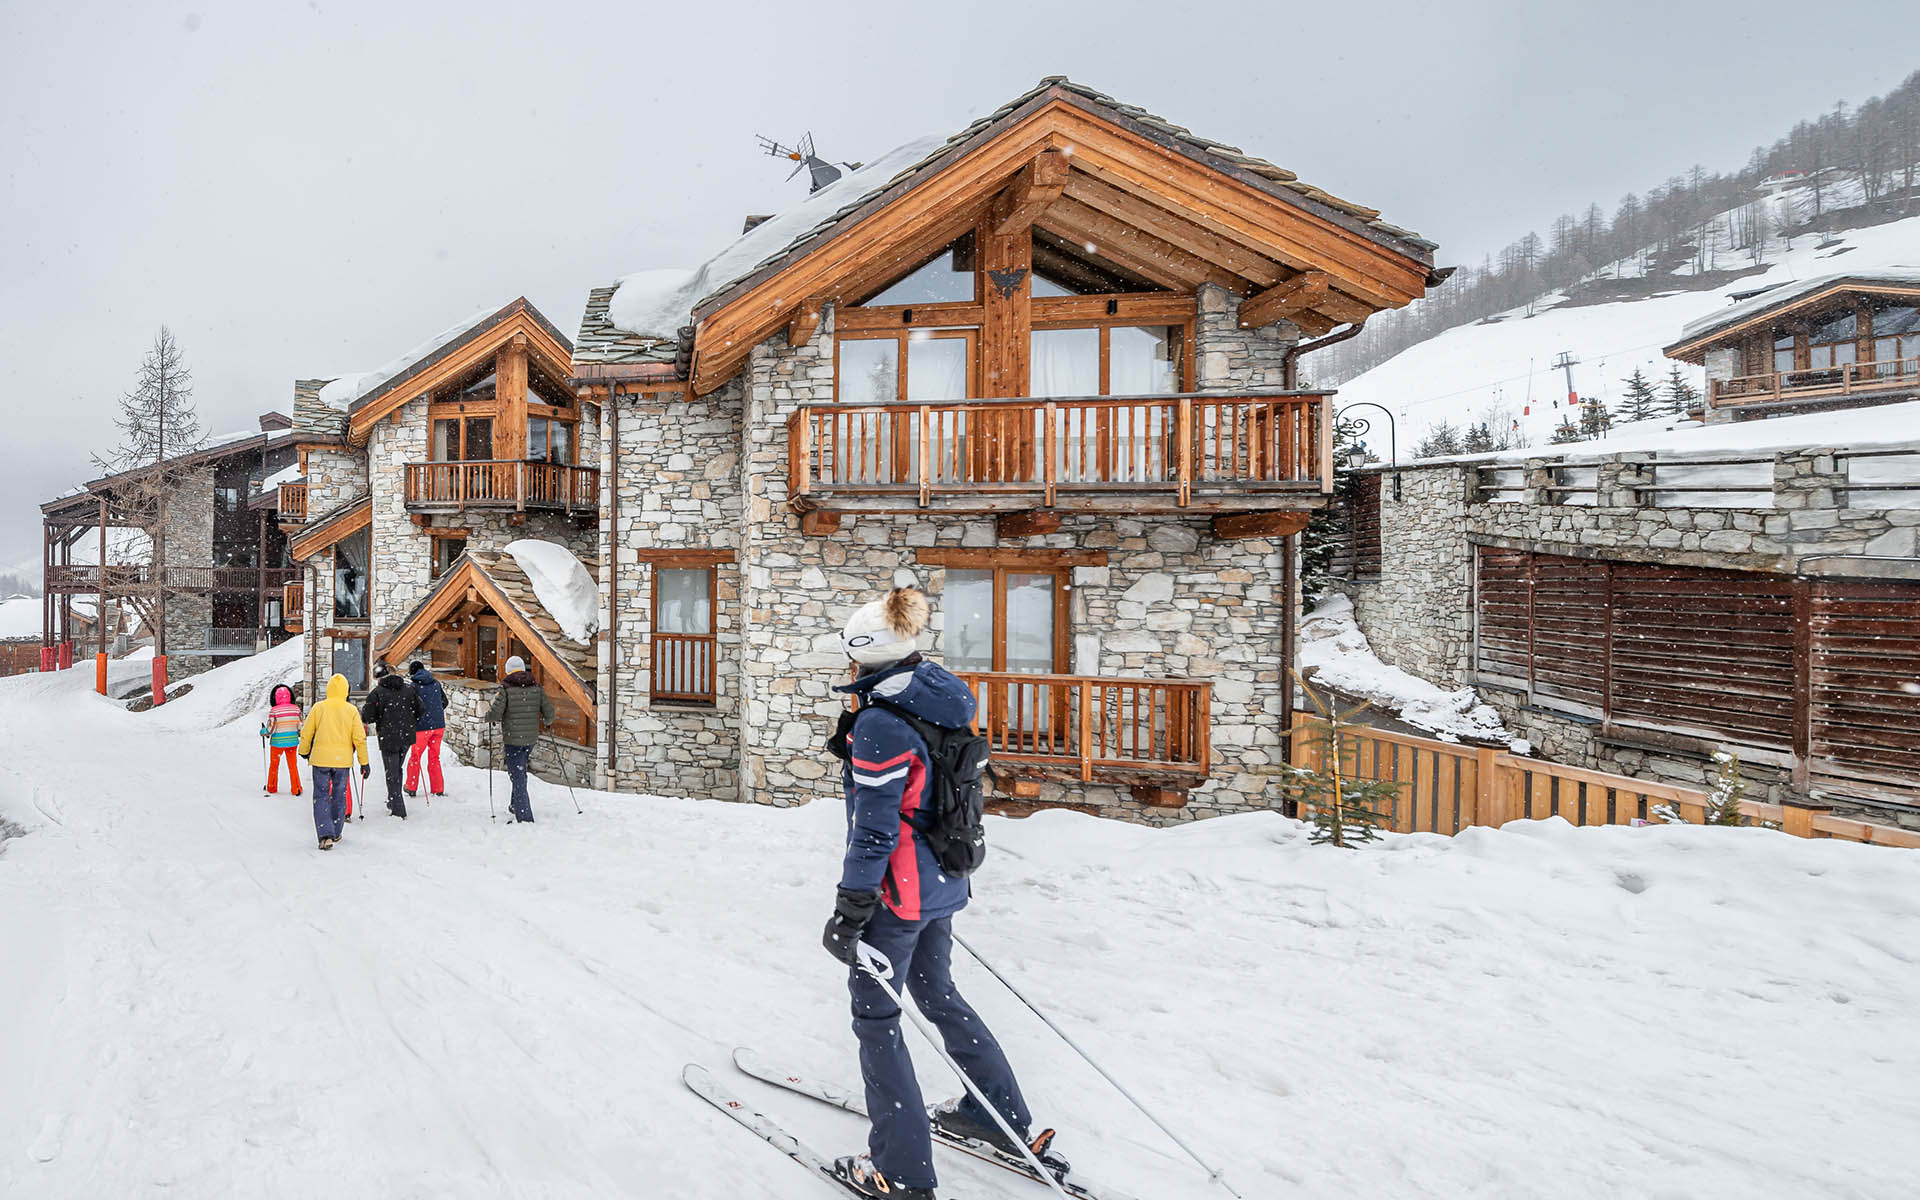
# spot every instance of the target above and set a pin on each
(158, 425)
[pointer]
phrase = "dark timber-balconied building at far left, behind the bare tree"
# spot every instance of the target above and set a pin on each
(226, 558)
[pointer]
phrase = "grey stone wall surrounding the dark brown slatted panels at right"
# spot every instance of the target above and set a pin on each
(1420, 613)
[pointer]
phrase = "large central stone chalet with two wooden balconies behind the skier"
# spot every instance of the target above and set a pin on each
(1047, 370)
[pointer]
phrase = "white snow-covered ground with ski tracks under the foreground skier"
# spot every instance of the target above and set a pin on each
(203, 1005)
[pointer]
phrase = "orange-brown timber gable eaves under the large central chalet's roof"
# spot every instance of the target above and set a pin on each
(1084, 174)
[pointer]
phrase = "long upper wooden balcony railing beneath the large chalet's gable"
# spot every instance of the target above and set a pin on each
(1107, 454)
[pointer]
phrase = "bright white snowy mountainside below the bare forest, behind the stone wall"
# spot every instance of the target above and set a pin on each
(1506, 364)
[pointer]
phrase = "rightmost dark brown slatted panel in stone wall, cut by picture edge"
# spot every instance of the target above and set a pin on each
(1865, 652)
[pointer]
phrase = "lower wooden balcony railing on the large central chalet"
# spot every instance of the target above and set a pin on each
(1095, 727)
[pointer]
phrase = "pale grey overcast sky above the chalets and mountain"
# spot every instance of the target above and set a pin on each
(304, 189)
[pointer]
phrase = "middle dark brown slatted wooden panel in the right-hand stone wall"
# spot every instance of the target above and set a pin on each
(1708, 650)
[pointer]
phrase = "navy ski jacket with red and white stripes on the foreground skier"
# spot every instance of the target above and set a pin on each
(886, 777)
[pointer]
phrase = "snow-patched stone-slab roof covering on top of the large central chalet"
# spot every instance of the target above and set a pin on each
(644, 318)
